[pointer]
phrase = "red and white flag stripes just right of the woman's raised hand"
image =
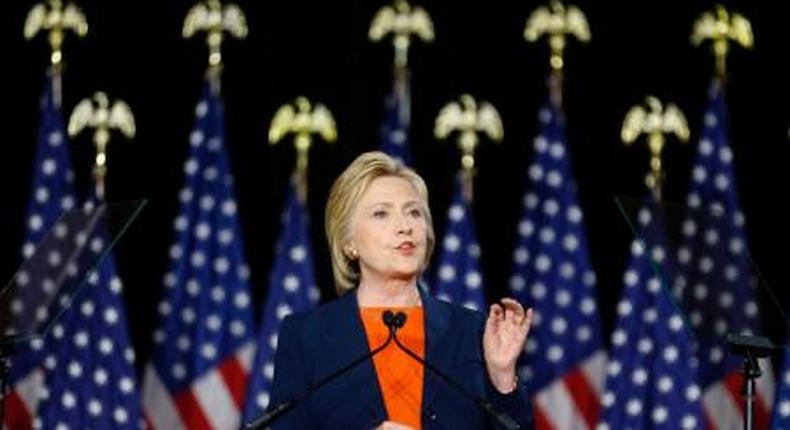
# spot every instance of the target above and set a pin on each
(573, 401)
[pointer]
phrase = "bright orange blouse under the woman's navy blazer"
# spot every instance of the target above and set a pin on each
(400, 376)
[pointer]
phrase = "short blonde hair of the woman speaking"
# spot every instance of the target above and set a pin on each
(343, 199)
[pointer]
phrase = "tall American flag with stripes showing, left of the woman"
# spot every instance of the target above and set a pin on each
(203, 345)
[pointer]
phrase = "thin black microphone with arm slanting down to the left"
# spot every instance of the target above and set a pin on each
(391, 320)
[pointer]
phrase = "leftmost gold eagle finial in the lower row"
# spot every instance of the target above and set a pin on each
(102, 116)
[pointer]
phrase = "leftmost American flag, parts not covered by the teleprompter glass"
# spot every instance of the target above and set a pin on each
(52, 193)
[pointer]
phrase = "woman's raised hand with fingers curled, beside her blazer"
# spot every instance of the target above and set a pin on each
(503, 340)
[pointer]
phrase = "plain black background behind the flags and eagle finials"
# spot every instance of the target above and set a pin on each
(134, 51)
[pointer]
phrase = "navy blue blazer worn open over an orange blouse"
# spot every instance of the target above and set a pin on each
(315, 344)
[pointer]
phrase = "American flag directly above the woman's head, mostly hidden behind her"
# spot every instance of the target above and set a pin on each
(397, 112)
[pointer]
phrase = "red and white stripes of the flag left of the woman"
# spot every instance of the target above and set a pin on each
(215, 400)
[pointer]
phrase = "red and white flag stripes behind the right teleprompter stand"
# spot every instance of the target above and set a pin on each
(724, 403)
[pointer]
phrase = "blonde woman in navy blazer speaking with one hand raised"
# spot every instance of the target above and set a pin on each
(381, 238)
